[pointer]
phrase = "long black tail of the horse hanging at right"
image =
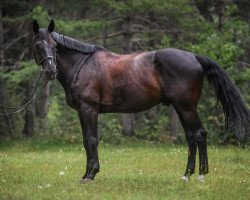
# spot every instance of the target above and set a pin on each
(237, 115)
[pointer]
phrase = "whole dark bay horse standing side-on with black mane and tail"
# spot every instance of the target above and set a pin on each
(96, 81)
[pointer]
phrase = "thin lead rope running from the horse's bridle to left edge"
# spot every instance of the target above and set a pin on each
(22, 107)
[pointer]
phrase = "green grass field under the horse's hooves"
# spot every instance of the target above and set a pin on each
(37, 170)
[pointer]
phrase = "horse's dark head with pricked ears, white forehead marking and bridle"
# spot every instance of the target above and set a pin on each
(45, 49)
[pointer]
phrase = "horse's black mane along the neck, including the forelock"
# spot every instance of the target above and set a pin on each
(71, 43)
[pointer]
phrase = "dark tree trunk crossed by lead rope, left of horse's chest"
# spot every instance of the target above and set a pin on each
(29, 124)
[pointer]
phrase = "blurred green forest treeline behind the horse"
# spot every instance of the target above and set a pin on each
(217, 28)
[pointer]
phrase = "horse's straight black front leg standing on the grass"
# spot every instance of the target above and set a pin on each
(89, 118)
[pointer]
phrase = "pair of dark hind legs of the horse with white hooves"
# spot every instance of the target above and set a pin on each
(196, 136)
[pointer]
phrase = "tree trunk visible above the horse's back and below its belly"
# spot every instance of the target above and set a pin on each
(127, 119)
